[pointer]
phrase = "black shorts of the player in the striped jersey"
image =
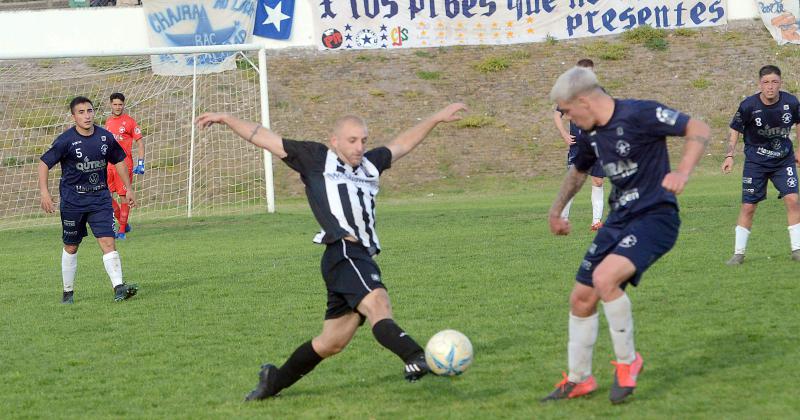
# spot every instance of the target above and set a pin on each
(350, 274)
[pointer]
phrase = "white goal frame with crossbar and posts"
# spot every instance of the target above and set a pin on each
(263, 95)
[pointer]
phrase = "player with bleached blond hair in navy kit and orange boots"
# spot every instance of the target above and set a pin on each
(629, 138)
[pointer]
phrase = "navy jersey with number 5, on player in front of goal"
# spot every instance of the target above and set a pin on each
(83, 161)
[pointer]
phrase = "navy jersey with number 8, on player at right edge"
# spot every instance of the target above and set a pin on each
(766, 129)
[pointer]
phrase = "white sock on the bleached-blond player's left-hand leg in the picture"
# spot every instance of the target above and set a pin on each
(582, 336)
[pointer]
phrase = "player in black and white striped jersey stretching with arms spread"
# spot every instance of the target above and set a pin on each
(341, 185)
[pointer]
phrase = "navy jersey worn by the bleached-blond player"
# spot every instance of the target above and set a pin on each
(632, 148)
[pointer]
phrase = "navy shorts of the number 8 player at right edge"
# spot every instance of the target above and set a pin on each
(755, 176)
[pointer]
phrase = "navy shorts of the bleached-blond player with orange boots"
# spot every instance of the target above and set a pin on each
(642, 240)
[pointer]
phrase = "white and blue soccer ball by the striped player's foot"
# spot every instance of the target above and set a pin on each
(448, 353)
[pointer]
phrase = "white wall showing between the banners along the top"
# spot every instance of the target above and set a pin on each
(110, 29)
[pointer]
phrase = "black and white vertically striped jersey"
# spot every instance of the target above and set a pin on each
(341, 197)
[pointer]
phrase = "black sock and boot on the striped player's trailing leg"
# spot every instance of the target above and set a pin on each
(271, 380)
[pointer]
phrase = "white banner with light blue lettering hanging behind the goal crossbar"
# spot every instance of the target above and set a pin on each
(173, 23)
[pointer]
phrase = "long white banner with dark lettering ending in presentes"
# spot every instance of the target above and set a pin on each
(368, 24)
